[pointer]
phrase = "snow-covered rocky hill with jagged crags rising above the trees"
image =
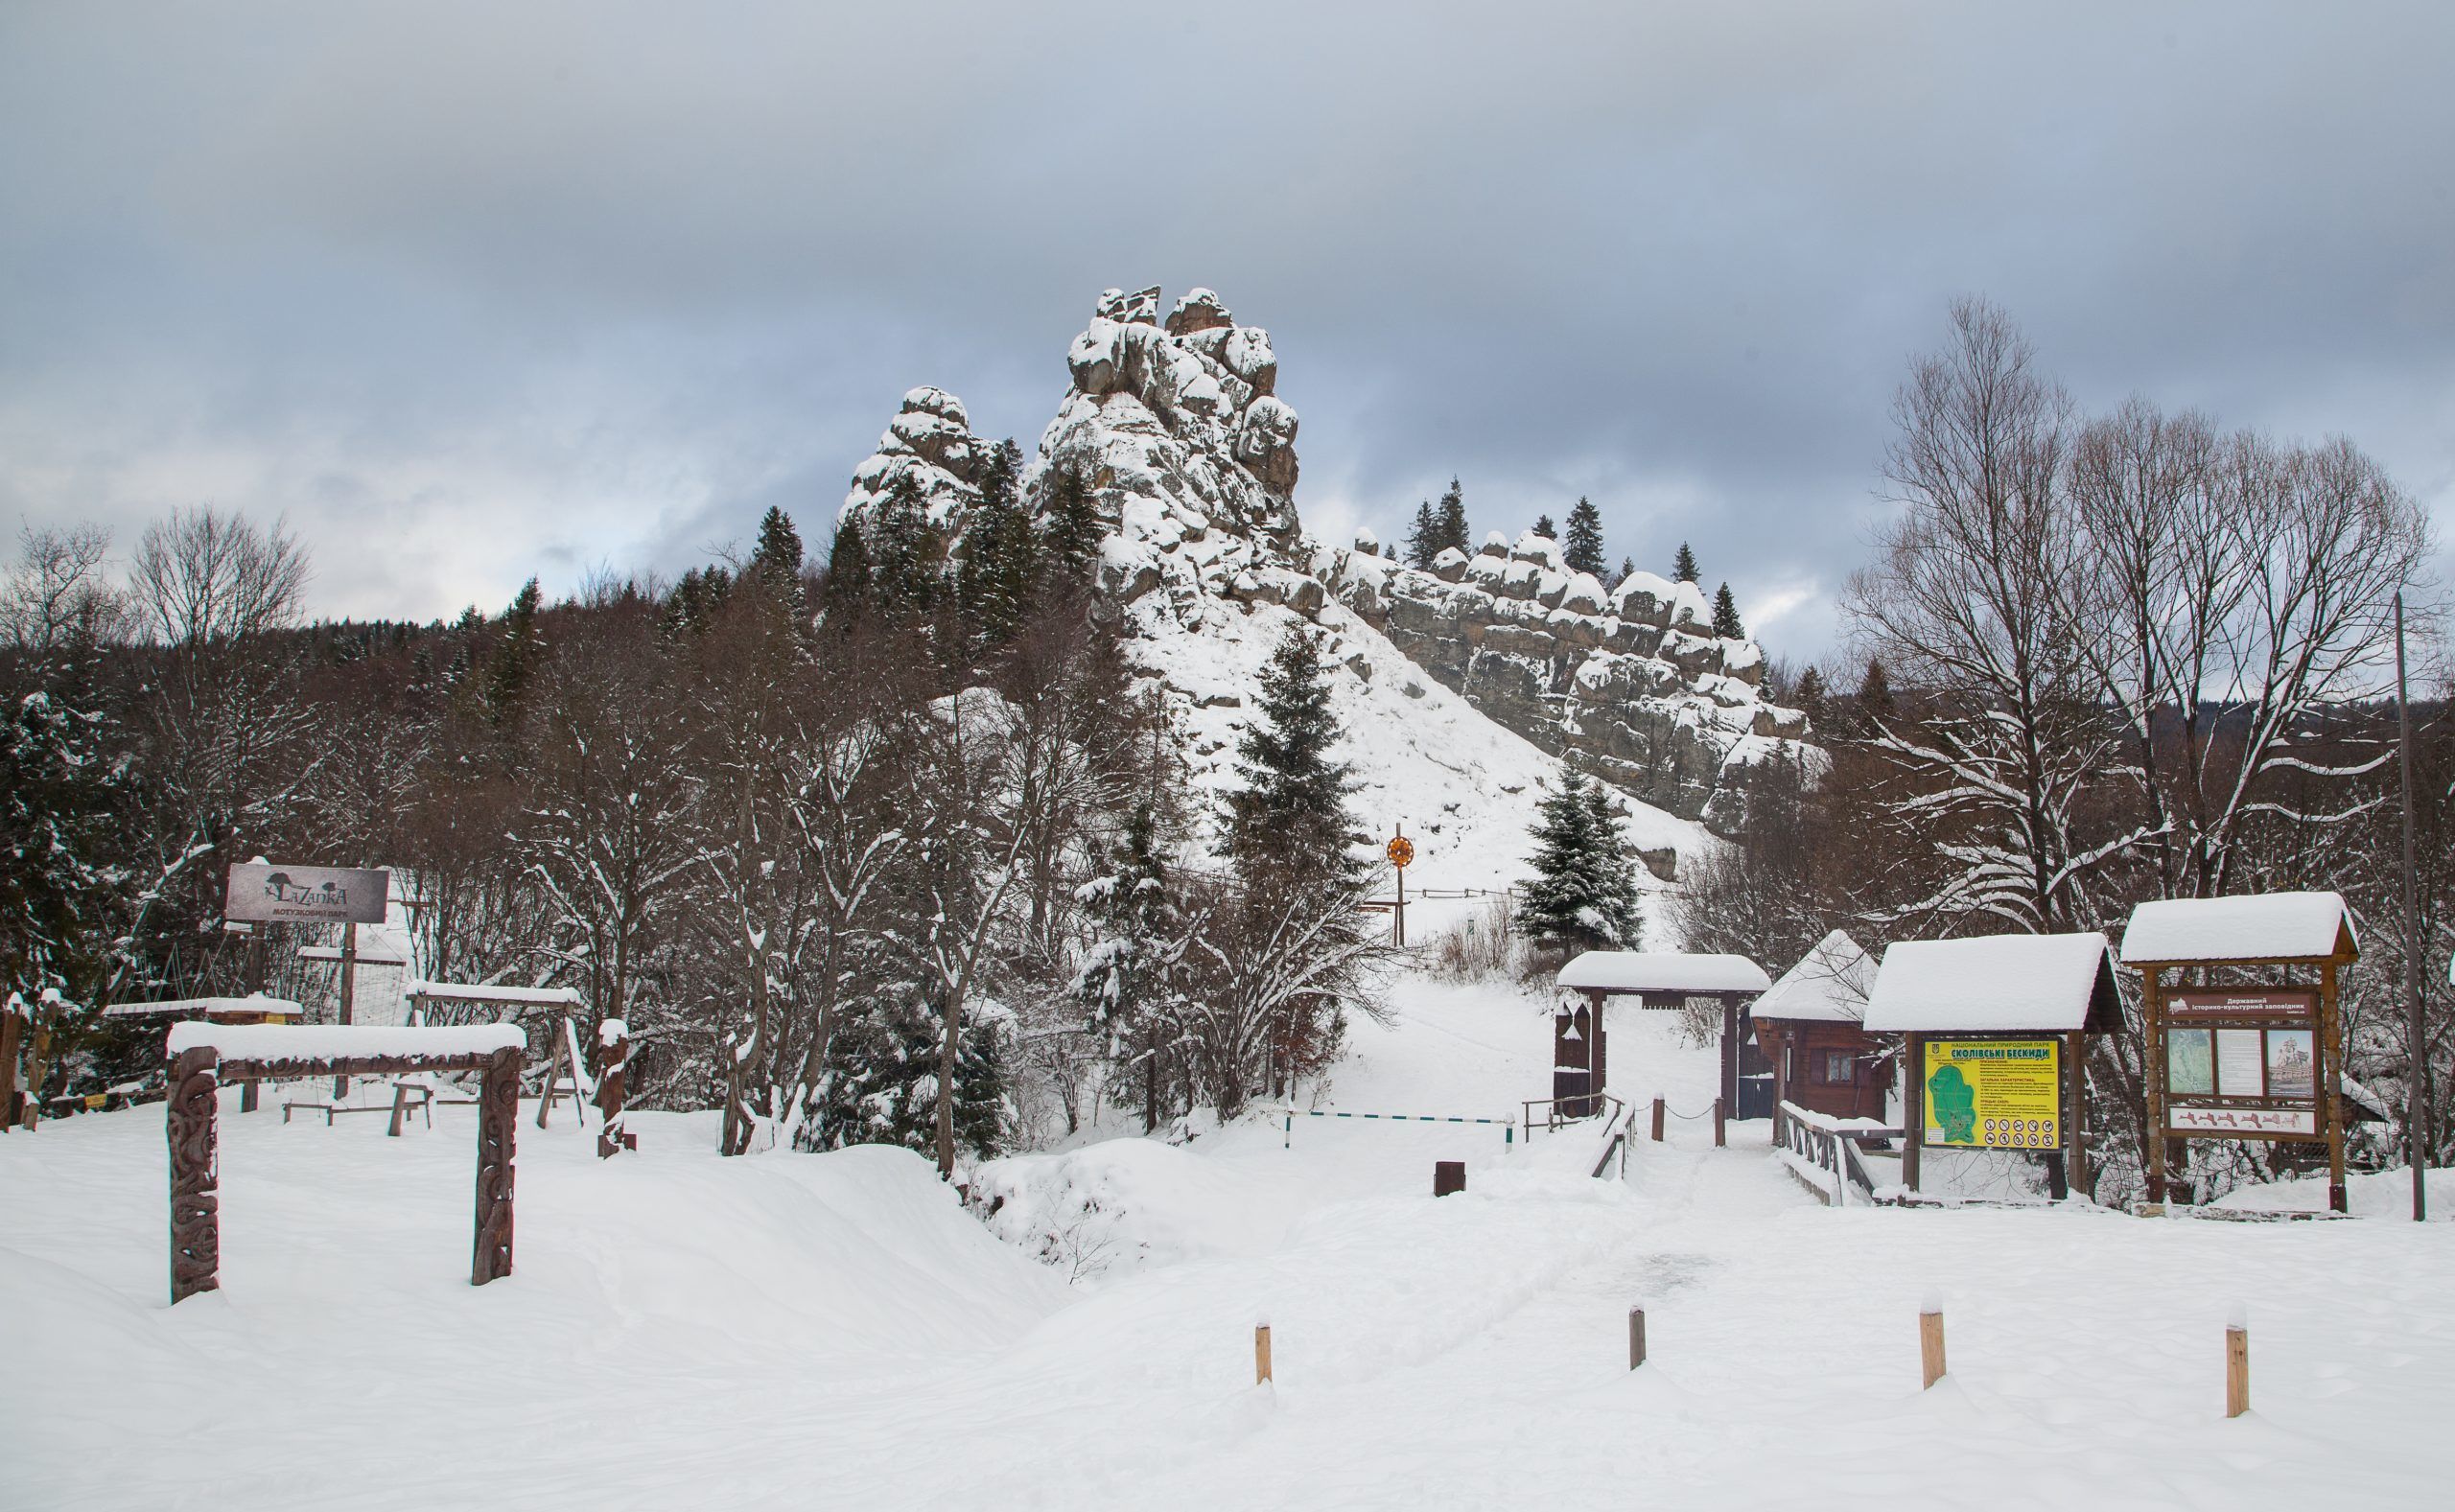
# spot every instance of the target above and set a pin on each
(1177, 428)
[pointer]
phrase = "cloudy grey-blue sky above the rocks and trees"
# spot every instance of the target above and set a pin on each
(490, 291)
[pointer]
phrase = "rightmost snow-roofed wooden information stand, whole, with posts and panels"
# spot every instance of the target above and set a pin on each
(2245, 936)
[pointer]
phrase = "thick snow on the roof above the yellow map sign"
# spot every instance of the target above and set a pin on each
(1995, 985)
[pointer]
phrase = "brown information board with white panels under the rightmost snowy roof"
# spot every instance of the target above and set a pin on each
(2243, 1064)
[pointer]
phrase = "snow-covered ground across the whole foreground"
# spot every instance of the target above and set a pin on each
(833, 1332)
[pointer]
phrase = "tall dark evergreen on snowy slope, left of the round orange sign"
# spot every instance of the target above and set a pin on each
(1293, 814)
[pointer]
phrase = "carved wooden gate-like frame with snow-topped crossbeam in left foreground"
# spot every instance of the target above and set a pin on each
(203, 1054)
